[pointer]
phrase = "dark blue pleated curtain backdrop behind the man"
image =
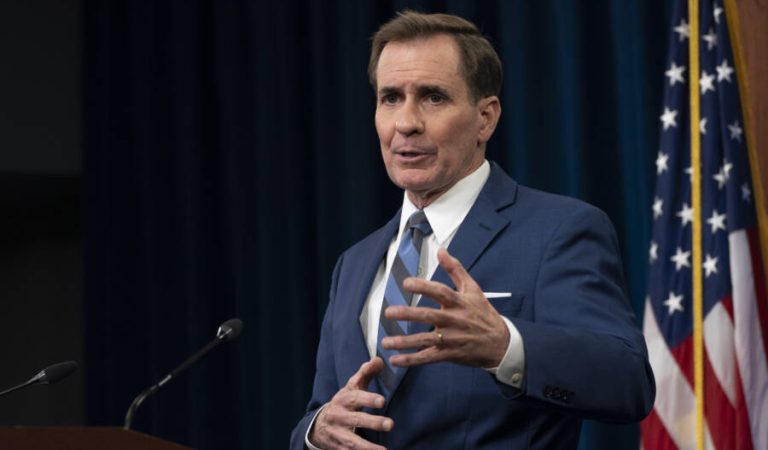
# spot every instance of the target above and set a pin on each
(230, 156)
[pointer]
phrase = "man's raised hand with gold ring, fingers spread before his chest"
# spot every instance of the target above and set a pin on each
(468, 329)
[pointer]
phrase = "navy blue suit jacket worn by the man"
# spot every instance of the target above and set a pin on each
(584, 355)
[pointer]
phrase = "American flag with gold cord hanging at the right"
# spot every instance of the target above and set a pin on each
(735, 307)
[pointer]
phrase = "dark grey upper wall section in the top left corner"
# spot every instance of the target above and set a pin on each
(40, 86)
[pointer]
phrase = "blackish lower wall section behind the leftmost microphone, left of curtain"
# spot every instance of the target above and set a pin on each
(41, 295)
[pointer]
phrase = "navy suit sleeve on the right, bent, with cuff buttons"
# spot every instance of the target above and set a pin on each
(584, 352)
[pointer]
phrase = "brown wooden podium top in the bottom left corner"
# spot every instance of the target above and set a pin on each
(80, 438)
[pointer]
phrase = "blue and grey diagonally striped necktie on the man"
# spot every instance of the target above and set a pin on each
(406, 264)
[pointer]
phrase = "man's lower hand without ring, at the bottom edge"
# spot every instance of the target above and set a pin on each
(334, 427)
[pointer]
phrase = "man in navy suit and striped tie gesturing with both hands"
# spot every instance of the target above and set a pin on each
(511, 336)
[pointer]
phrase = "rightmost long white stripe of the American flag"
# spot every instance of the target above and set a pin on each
(750, 352)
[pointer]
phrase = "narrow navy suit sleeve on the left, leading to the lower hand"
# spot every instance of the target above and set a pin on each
(325, 385)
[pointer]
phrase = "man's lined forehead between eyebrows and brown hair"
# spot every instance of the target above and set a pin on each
(432, 60)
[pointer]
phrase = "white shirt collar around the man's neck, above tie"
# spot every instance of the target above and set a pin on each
(447, 212)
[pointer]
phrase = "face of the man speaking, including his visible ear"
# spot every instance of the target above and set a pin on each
(431, 133)
